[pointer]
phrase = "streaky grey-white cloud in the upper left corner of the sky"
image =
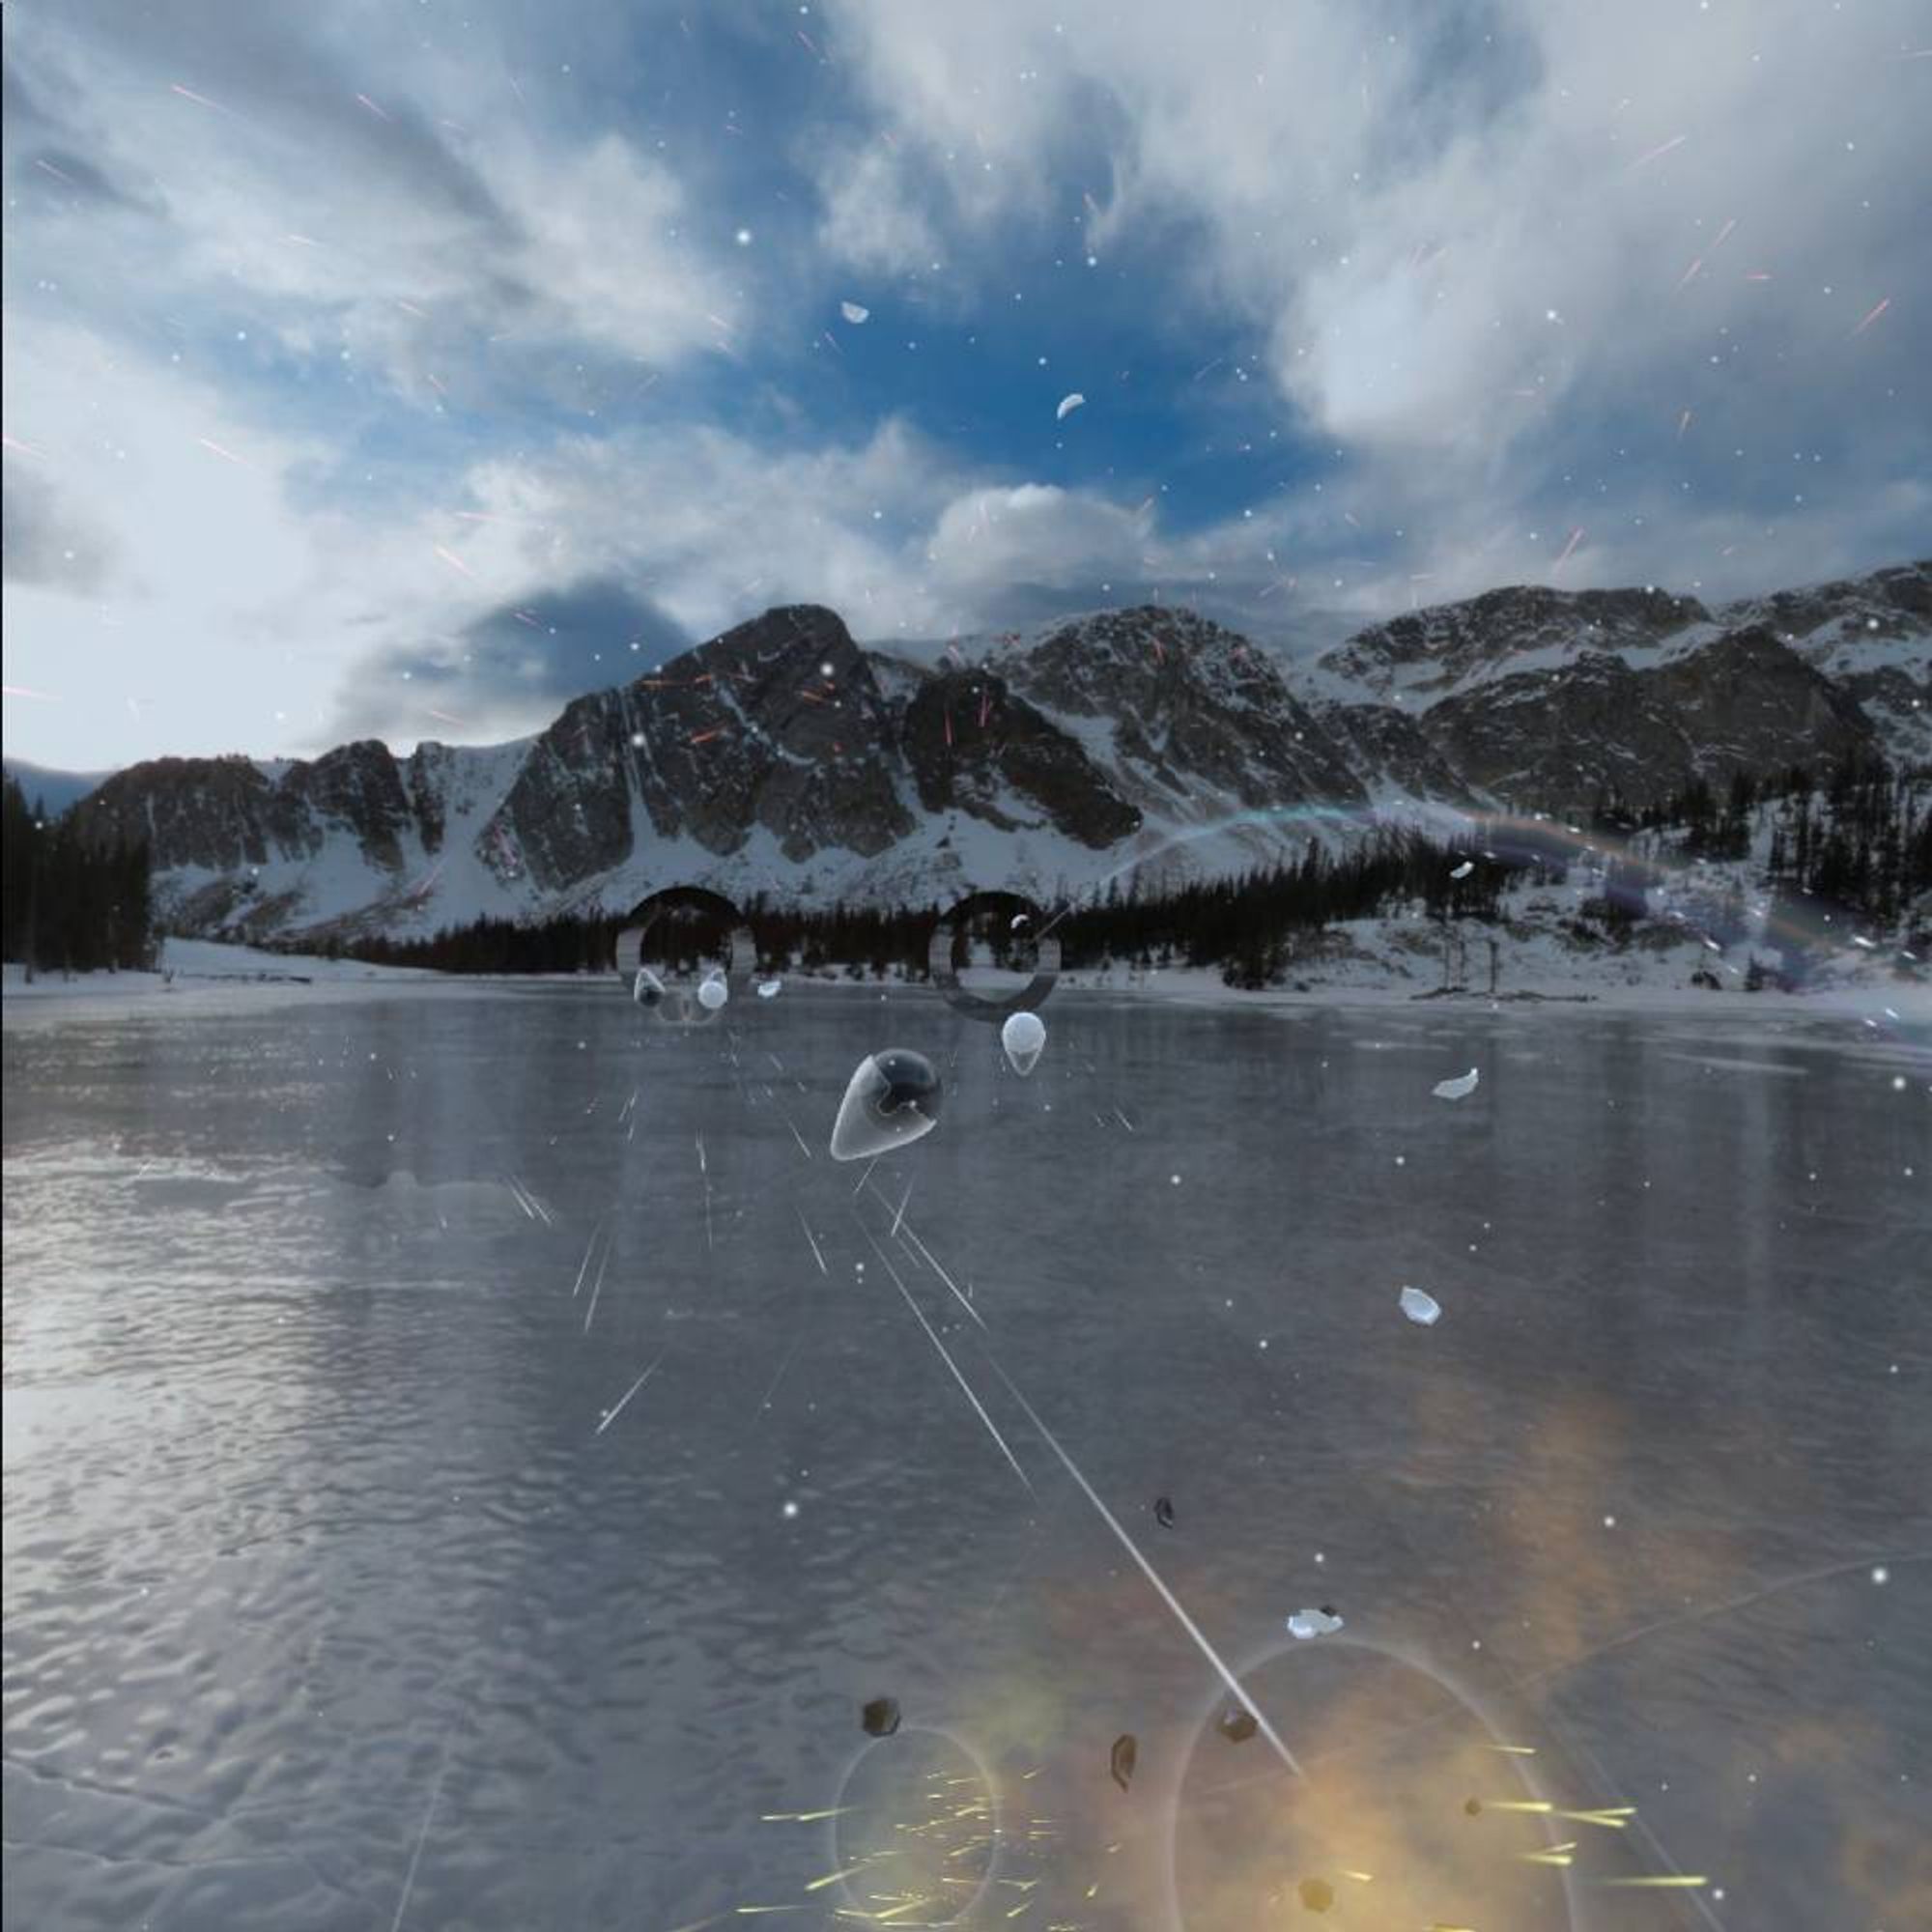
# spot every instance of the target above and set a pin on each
(339, 219)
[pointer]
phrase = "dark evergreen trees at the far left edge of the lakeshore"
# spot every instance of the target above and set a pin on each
(71, 905)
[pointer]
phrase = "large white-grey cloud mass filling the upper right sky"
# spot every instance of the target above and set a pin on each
(1463, 237)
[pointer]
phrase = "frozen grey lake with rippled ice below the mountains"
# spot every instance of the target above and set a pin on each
(337, 1597)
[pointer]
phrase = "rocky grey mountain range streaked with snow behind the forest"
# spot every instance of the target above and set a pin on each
(785, 758)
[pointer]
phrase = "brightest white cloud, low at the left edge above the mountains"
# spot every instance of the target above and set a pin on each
(227, 611)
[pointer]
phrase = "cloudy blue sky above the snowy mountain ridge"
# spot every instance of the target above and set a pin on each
(405, 368)
